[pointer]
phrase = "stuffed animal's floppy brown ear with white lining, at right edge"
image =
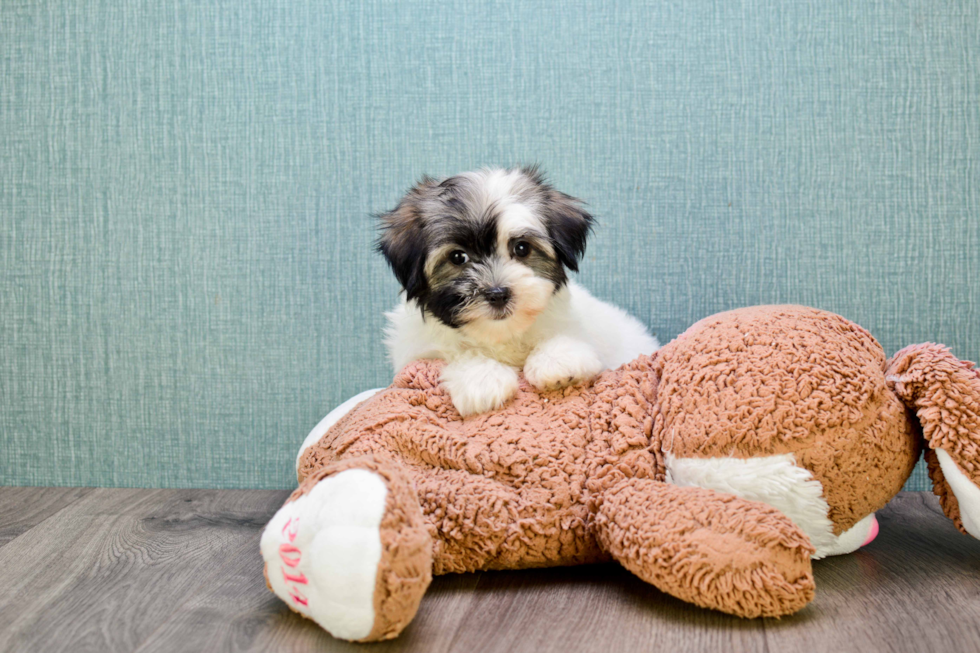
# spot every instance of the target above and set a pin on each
(944, 392)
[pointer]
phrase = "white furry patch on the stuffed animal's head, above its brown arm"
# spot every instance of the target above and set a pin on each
(774, 480)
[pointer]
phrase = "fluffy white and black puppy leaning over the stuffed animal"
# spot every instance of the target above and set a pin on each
(482, 257)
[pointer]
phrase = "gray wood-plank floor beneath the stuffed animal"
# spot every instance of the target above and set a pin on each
(179, 570)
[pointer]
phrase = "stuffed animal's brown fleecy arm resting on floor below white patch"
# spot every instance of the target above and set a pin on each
(713, 549)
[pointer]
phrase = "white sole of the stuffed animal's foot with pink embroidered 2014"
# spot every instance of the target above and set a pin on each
(322, 552)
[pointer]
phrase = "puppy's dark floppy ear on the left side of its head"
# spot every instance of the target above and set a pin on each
(402, 240)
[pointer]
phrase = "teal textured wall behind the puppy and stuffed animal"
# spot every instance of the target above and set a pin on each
(186, 280)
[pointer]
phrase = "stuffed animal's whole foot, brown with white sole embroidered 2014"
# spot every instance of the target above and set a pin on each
(350, 550)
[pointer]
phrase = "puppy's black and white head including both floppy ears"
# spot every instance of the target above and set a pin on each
(484, 251)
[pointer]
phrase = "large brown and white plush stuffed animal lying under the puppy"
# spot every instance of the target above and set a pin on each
(716, 470)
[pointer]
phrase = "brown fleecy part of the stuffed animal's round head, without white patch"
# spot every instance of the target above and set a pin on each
(772, 380)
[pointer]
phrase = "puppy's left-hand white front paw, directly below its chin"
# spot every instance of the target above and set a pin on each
(478, 384)
